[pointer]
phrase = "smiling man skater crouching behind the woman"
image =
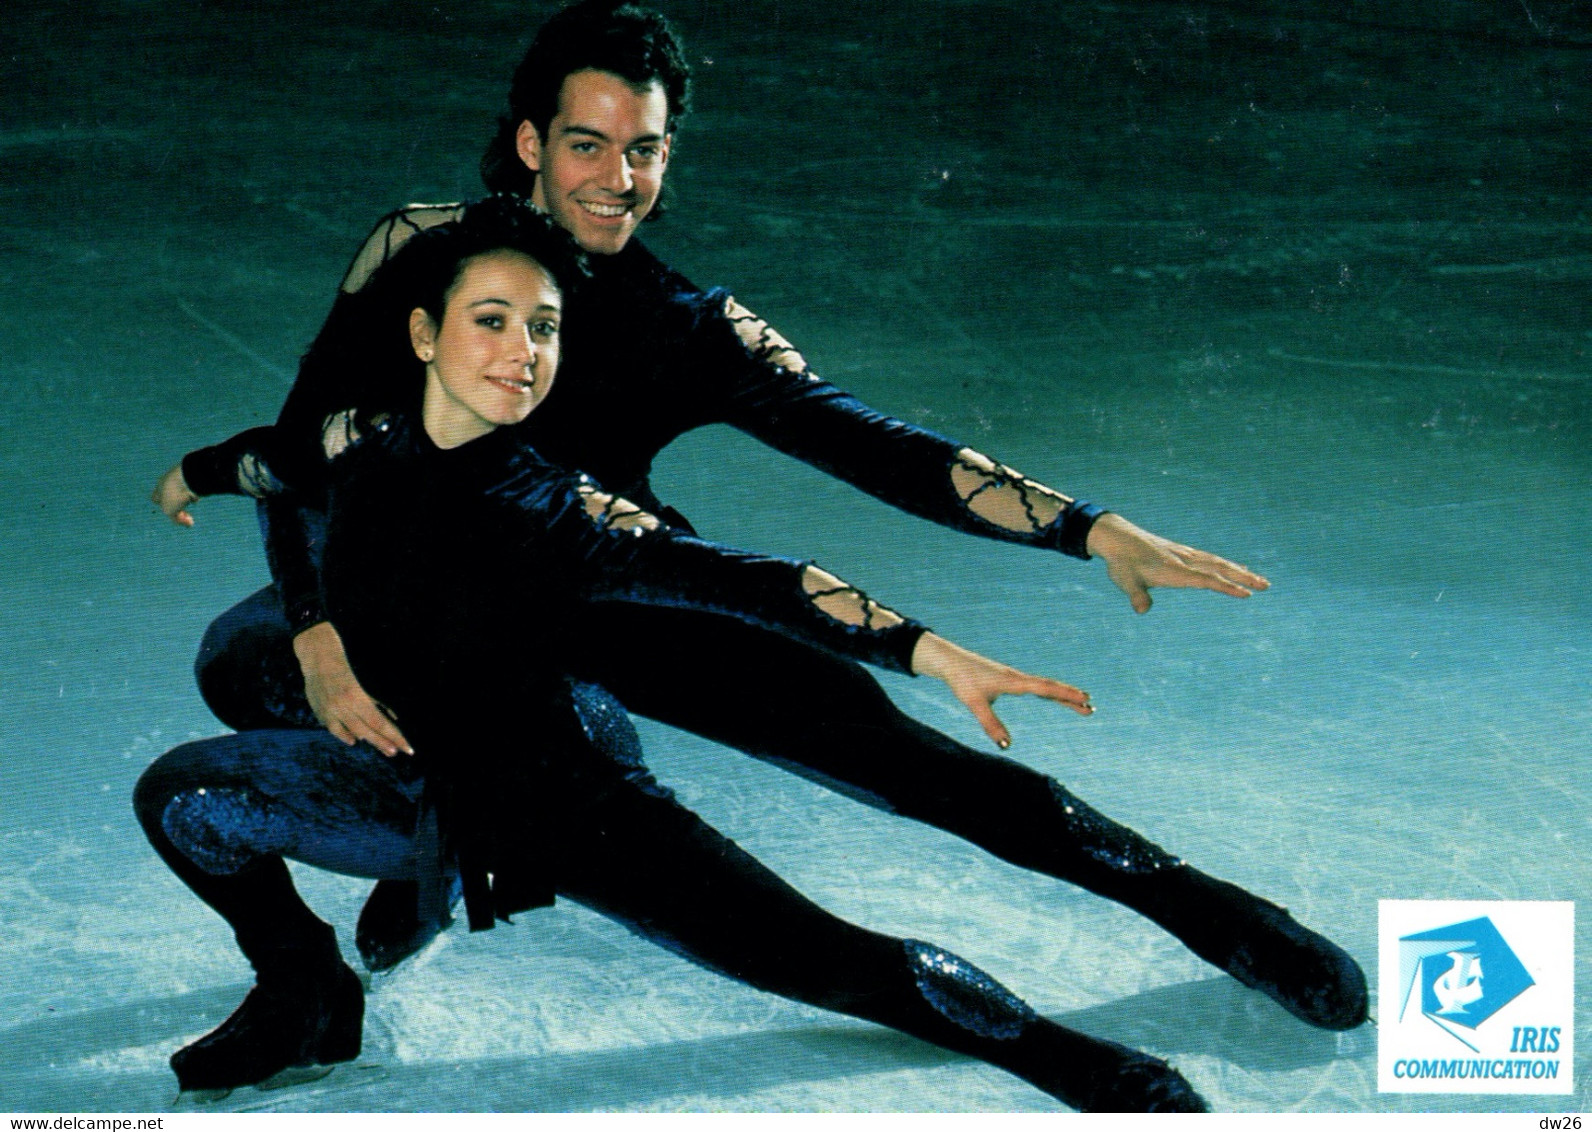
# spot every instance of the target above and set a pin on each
(593, 114)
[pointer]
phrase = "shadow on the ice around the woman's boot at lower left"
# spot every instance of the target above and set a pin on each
(115, 1061)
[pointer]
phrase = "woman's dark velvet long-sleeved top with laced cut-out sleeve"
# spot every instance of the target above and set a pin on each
(458, 579)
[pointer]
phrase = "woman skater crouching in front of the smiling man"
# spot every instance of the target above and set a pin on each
(453, 566)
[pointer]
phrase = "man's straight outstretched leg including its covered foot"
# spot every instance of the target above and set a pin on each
(829, 720)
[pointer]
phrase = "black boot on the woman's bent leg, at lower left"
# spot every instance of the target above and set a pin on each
(308, 1009)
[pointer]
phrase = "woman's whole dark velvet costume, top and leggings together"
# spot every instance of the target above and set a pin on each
(455, 577)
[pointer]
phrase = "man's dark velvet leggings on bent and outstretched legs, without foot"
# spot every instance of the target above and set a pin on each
(794, 706)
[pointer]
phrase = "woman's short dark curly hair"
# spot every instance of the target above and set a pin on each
(429, 265)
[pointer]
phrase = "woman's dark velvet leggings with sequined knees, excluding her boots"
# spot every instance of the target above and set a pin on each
(225, 811)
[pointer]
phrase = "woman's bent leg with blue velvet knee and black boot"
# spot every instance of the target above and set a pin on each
(222, 814)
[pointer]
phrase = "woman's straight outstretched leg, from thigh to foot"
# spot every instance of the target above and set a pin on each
(639, 857)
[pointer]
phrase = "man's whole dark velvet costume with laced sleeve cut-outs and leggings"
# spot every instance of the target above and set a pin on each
(647, 356)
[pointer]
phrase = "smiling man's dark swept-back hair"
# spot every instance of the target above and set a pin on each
(622, 39)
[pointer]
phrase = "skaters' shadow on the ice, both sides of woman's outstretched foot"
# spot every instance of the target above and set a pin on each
(115, 1060)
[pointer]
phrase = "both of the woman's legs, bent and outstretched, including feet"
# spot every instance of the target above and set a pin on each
(222, 813)
